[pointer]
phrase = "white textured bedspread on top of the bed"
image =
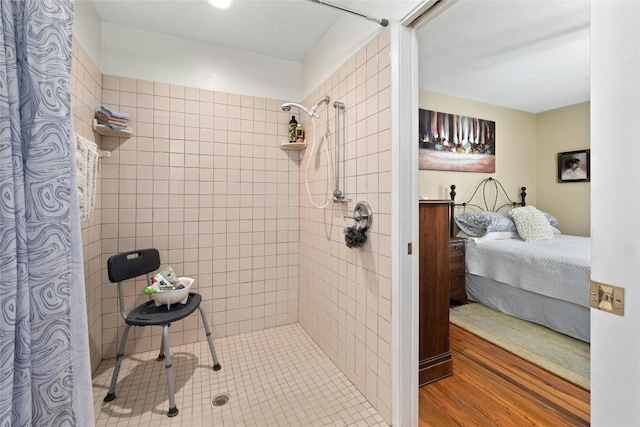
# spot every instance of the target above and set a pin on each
(558, 268)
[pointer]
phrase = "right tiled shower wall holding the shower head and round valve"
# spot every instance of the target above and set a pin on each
(345, 294)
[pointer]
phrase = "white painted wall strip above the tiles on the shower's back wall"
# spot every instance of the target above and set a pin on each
(145, 55)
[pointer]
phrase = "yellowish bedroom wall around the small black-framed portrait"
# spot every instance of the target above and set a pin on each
(560, 130)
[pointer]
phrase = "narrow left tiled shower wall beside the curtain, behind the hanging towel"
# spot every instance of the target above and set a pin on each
(86, 90)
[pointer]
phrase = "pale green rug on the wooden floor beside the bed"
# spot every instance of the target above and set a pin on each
(560, 354)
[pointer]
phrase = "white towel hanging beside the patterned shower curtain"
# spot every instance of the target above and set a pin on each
(87, 175)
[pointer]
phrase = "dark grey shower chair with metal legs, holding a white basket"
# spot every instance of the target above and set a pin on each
(132, 264)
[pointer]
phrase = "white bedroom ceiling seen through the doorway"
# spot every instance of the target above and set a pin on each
(528, 55)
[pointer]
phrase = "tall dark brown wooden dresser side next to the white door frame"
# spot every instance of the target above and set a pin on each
(434, 358)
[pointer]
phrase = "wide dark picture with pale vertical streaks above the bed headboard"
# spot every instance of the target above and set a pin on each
(451, 142)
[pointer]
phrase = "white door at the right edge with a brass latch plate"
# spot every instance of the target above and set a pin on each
(615, 108)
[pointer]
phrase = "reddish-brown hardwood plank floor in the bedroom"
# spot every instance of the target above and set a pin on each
(492, 387)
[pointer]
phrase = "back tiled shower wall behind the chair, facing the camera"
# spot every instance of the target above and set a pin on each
(204, 181)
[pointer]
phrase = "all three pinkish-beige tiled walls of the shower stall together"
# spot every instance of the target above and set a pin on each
(203, 180)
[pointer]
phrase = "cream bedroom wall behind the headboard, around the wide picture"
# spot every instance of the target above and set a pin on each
(515, 149)
